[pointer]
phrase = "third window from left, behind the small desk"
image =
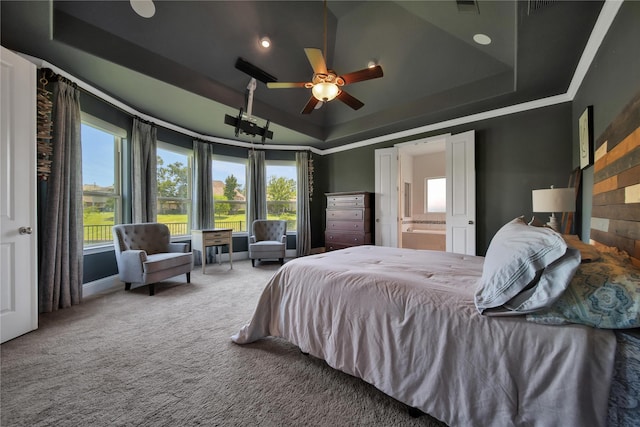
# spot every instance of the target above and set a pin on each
(229, 192)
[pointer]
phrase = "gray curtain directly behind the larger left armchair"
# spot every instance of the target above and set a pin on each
(144, 171)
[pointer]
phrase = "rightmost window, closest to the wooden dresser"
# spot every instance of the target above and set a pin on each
(282, 192)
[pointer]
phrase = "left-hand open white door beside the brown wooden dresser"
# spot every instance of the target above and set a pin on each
(386, 198)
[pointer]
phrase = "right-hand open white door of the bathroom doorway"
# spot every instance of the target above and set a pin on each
(461, 193)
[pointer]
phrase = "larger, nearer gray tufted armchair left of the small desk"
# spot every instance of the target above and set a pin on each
(145, 254)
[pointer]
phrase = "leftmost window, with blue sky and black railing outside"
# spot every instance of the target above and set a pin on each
(101, 188)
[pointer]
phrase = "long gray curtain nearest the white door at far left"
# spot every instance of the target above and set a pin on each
(60, 278)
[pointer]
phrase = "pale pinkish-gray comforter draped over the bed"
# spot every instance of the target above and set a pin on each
(404, 320)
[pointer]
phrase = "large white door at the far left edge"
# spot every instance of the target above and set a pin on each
(18, 250)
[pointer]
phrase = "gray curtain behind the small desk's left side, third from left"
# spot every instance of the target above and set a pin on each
(203, 208)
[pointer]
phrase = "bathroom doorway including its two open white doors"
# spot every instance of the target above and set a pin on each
(409, 180)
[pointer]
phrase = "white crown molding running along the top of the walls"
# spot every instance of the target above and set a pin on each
(600, 29)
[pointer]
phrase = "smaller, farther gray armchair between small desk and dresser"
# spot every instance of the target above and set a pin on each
(268, 240)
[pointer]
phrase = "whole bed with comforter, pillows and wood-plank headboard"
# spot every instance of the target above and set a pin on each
(542, 331)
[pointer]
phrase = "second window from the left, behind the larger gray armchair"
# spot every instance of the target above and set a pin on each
(174, 188)
